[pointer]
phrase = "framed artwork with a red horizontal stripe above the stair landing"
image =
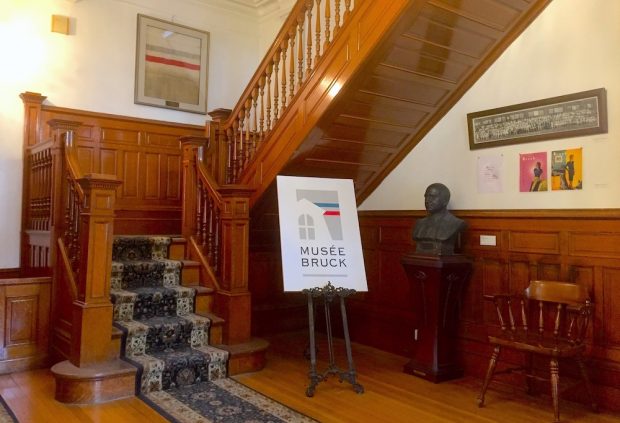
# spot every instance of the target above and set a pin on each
(171, 66)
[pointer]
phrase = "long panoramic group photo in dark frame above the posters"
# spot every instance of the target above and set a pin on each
(572, 115)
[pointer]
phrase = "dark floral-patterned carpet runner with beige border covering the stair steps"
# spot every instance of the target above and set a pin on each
(162, 337)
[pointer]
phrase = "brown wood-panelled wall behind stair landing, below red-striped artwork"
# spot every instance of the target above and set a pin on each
(144, 154)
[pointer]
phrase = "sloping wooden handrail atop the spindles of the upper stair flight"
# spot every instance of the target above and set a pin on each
(282, 37)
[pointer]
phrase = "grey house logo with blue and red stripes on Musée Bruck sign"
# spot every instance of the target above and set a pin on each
(319, 215)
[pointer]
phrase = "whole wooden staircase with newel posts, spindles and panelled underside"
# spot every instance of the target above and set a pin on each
(346, 90)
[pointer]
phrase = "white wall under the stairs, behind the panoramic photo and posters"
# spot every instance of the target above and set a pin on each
(571, 47)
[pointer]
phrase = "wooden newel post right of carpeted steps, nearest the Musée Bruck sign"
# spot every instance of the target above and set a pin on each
(234, 300)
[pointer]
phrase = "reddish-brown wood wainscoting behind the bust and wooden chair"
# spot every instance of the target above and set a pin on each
(582, 246)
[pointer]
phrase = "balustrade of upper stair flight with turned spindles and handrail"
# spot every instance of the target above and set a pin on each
(289, 63)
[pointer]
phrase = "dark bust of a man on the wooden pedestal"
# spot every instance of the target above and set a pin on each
(438, 232)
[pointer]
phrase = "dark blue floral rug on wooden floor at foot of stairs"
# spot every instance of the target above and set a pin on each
(222, 400)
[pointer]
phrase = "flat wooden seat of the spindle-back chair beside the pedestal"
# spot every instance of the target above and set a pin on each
(535, 344)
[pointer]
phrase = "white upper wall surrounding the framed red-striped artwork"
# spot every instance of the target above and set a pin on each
(93, 69)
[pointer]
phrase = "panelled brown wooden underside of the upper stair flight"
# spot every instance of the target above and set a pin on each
(427, 60)
